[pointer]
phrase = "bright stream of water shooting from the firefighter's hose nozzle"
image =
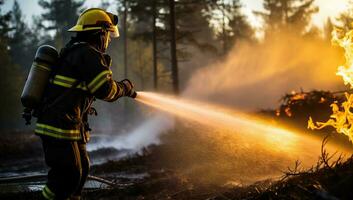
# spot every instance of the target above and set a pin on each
(210, 115)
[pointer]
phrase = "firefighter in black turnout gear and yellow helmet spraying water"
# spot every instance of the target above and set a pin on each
(83, 75)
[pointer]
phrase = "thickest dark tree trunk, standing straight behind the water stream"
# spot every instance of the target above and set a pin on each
(174, 62)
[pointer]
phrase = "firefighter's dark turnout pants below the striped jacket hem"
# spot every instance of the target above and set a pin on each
(69, 167)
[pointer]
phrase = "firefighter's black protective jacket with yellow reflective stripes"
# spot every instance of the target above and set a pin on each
(82, 74)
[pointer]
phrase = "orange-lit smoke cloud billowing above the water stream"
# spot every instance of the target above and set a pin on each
(254, 76)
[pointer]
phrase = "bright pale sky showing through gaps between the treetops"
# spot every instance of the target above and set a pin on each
(327, 8)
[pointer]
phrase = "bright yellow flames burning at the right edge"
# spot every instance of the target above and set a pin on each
(342, 117)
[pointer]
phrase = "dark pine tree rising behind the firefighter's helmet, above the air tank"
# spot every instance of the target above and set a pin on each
(60, 15)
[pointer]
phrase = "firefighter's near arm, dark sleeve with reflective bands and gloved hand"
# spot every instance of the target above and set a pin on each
(98, 78)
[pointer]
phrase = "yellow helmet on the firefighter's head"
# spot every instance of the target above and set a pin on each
(97, 19)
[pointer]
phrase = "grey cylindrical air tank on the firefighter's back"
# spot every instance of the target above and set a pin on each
(45, 59)
